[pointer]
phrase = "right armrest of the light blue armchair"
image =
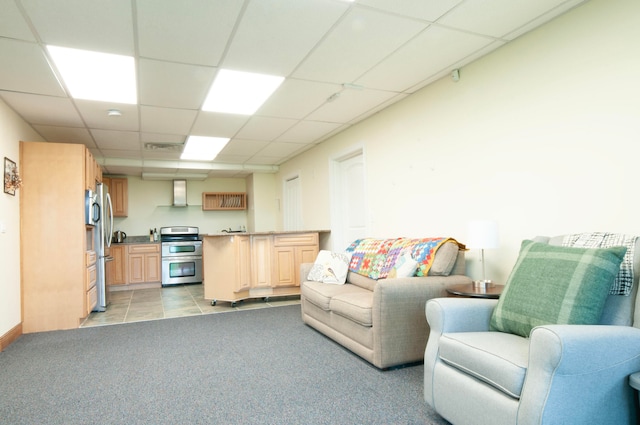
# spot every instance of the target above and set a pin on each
(586, 366)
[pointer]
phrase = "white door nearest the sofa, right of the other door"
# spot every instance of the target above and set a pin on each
(349, 211)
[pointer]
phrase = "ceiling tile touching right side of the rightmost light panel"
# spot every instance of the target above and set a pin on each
(297, 98)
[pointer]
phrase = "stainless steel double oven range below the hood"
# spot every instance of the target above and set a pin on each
(181, 255)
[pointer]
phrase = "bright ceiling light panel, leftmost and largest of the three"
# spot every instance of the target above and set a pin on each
(96, 76)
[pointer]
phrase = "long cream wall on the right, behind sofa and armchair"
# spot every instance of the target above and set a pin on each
(542, 135)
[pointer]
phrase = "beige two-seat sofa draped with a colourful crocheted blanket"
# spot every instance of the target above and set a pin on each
(383, 320)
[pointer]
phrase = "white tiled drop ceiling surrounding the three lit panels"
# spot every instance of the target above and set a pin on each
(343, 61)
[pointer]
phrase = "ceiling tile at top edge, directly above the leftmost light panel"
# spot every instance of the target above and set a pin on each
(84, 24)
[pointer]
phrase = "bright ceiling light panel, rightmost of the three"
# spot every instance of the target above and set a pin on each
(237, 92)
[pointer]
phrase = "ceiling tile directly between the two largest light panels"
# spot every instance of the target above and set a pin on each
(173, 84)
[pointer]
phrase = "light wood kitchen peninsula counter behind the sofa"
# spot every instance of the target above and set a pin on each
(243, 265)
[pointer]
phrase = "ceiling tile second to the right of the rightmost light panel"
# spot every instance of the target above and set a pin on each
(349, 105)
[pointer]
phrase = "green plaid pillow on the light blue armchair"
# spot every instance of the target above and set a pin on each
(556, 285)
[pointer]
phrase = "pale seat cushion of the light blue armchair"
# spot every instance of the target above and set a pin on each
(497, 358)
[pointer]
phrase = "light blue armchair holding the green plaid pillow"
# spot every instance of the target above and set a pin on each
(561, 374)
